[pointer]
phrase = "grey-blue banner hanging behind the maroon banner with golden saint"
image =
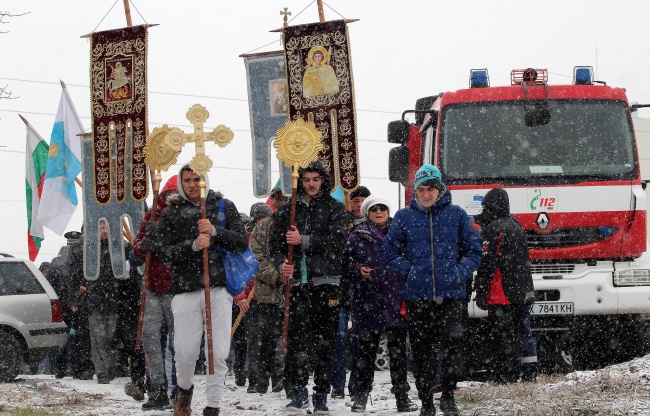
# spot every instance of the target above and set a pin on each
(267, 107)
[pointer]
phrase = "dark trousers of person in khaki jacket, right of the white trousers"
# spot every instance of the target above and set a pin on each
(264, 328)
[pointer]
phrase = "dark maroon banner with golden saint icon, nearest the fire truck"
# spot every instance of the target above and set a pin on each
(321, 90)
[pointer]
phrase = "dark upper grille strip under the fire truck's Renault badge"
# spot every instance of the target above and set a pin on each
(567, 237)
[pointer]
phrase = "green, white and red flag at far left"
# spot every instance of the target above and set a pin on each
(35, 161)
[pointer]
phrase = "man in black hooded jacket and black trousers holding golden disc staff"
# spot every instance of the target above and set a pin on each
(318, 237)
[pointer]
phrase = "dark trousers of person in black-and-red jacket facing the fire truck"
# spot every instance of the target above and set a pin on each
(505, 342)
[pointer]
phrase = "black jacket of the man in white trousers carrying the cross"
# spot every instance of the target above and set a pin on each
(177, 230)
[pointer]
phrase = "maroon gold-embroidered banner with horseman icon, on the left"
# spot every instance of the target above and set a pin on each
(118, 76)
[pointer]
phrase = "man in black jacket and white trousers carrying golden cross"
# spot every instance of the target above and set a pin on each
(182, 236)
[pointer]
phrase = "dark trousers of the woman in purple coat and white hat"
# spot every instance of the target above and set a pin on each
(368, 344)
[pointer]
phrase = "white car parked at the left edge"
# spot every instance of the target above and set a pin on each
(31, 324)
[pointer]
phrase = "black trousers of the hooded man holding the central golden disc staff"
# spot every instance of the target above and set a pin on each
(313, 320)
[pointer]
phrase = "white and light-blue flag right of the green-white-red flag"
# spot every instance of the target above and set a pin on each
(59, 195)
